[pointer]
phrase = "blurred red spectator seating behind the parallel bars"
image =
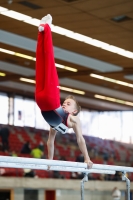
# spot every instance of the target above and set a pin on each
(65, 146)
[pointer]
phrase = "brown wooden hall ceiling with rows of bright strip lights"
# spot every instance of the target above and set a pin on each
(98, 28)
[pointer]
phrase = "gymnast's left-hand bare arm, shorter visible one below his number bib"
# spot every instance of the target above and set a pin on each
(50, 143)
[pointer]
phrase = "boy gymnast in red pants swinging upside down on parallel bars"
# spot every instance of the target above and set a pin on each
(47, 94)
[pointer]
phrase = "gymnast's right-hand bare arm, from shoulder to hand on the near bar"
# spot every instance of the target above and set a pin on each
(74, 122)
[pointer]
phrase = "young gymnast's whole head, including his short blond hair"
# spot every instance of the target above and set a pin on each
(70, 105)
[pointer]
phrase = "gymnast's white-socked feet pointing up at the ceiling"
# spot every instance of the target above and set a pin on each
(45, 20)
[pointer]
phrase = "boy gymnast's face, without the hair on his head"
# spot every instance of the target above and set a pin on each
(69, 106)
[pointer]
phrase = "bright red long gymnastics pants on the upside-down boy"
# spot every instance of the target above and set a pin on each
(47, 93)
